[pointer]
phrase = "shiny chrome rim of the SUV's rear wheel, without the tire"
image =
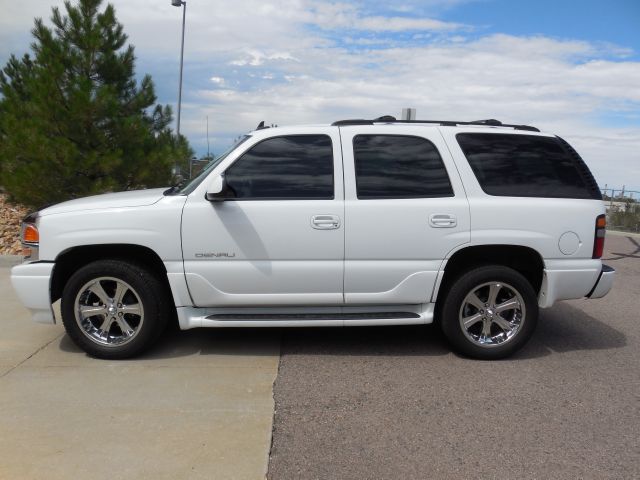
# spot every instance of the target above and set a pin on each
(492, 314)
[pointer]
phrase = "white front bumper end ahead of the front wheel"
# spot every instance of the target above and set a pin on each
(32, 282)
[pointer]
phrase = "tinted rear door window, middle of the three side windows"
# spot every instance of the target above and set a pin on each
(399, 166)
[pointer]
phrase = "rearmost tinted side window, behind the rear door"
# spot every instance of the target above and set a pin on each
(523, 166)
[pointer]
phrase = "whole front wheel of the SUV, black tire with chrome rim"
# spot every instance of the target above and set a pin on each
(145, 316)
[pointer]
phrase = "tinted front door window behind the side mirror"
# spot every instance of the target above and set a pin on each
(281, 168)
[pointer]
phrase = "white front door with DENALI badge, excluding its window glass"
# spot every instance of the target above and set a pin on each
(277, 257)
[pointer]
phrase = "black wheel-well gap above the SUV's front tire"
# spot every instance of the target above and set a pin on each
(70, 260)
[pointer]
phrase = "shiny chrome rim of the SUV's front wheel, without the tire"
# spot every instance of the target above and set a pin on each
(109, 311)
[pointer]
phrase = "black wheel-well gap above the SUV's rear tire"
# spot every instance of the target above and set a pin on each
(524, 260)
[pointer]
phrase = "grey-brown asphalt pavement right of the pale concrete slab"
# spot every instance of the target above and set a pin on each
(394, 403)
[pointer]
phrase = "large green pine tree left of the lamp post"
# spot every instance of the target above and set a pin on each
(73, 119)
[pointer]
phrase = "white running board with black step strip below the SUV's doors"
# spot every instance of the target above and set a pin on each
(190, 317)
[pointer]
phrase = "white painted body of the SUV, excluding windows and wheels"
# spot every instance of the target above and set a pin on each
(378, 255)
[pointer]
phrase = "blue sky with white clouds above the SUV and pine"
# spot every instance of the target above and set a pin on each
(569, 67)
